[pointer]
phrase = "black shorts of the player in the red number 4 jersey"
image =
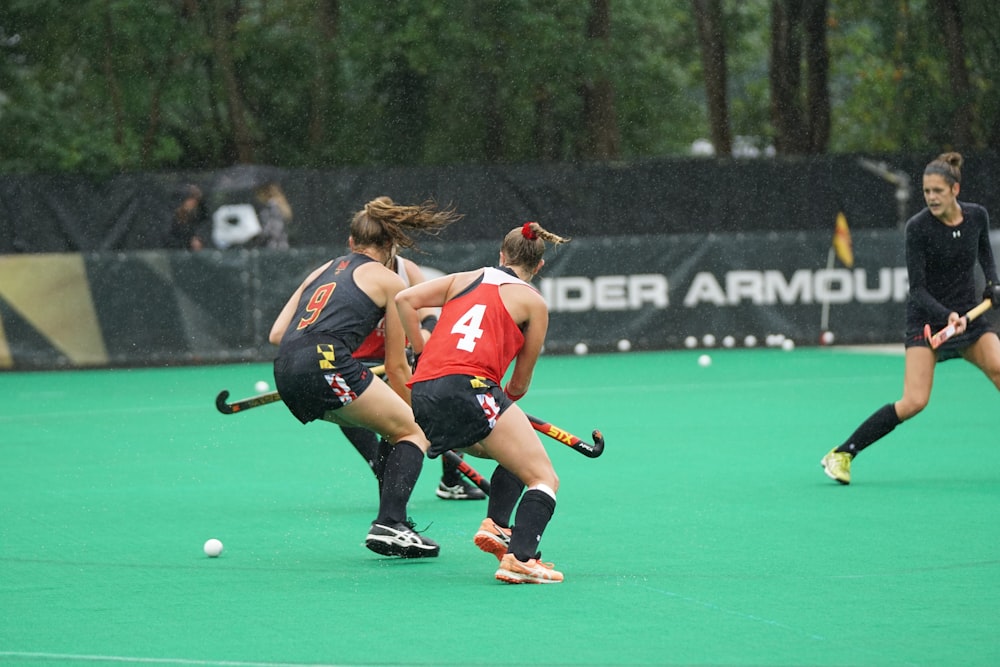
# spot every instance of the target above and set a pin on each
(457, 411)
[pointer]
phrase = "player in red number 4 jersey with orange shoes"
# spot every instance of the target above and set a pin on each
(489, 318)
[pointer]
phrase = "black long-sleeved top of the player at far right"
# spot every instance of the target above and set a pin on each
(941, 262)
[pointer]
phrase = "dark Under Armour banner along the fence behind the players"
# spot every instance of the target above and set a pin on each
(167, 308)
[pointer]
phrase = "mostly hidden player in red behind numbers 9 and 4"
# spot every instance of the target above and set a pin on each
(371, 352)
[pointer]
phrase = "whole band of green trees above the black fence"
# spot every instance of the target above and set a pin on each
(103, 86)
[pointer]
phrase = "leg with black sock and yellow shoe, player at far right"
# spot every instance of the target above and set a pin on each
(917, 382)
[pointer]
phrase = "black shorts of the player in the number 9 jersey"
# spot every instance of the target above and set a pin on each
(318, 377)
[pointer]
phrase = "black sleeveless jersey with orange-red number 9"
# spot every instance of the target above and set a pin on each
(333, 307)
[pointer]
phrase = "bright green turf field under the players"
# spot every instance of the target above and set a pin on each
(706, 534)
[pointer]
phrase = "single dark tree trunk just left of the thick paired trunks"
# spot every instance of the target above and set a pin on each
(711, 36)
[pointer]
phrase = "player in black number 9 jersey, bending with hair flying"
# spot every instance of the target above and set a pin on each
(317, 332)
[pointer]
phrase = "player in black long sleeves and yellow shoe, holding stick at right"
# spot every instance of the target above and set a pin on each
(944, 242)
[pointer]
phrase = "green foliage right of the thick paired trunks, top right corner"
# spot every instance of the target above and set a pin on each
(890, 82)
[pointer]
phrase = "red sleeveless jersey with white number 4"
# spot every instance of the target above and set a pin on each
(475, 335)
